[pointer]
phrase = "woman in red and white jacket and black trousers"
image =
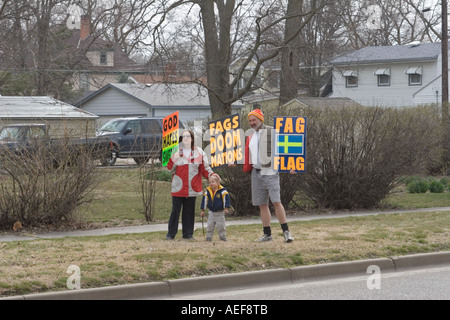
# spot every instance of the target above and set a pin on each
(188, 165)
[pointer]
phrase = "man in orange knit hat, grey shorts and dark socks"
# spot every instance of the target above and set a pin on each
(265, 181)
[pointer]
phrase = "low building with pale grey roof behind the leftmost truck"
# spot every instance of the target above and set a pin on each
(62, 119)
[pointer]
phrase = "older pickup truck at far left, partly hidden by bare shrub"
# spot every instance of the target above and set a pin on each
(21, 138)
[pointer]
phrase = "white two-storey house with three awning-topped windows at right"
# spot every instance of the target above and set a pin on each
(404, 75)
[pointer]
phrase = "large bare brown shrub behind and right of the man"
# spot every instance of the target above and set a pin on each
(355, 155)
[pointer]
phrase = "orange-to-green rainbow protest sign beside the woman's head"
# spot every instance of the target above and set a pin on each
(171, 135)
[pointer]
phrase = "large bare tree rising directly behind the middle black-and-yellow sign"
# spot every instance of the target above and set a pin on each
(222, 31)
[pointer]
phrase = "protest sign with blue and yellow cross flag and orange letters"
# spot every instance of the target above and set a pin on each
(290, 144)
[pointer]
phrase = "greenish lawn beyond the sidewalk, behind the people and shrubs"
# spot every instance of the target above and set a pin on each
(118, 203)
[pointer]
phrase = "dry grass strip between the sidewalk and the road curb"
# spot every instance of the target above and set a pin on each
(39, 266)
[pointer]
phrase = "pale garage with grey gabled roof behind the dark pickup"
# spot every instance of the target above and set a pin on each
(152, 100)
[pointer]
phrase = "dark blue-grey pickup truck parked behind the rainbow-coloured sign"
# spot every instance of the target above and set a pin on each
(137, 138)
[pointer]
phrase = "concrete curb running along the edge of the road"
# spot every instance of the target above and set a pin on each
(172, 288)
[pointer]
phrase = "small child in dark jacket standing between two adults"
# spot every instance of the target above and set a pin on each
(217, 200)
